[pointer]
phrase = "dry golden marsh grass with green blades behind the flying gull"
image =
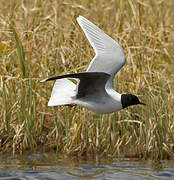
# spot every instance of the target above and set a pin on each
(42, 38)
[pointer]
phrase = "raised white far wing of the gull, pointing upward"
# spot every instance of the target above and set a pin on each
(109, 56)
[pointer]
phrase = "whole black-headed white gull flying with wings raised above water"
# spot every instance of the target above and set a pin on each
(94, 89)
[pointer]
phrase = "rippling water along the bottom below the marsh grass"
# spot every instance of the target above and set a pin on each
(51, 166)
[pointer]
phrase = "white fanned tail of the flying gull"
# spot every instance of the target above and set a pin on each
(62, 92)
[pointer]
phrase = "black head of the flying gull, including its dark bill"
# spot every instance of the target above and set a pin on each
(129, 100)
